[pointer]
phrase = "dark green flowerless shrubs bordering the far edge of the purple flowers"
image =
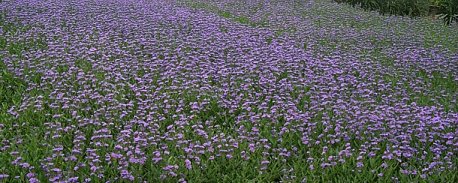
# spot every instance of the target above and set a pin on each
(447, 10)
